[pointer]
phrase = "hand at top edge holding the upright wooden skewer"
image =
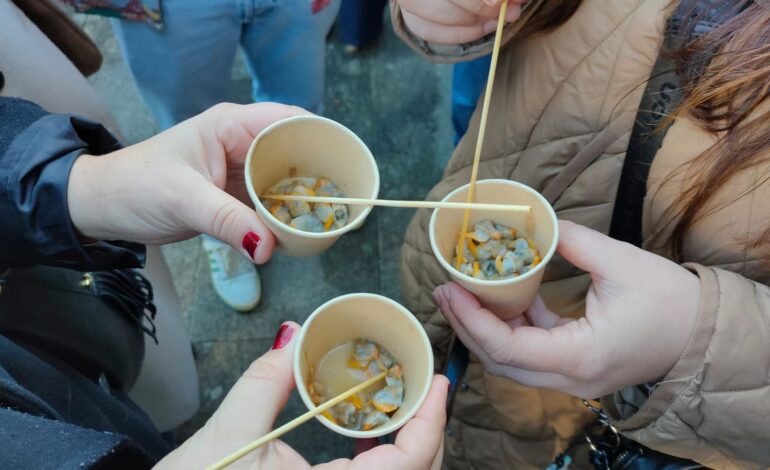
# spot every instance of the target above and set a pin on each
(455, 21)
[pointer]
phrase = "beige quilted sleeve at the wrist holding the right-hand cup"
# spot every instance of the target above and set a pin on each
(714, 405)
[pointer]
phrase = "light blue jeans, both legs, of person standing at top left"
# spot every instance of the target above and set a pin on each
(185, 68)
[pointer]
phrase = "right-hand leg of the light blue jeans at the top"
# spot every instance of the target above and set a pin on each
(285, 47)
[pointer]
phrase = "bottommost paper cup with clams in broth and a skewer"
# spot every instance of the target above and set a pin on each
(364, 320)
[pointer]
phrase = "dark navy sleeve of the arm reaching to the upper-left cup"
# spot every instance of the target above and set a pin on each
(37, 151)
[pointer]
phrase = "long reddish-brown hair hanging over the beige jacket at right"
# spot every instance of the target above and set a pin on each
(725, 76)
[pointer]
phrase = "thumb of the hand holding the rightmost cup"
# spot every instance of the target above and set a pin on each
(590, 250)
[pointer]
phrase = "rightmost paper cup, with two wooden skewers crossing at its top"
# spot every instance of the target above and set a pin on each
(507, 298)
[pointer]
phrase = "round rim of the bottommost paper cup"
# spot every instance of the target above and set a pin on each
(392, 425)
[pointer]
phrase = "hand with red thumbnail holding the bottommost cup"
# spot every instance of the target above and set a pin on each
(248, 412)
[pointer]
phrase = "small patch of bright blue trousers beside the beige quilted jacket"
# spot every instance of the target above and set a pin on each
(468, 80)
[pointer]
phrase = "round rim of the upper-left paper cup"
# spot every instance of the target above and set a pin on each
(260, 208)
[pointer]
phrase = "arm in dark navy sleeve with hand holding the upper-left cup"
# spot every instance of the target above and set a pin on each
(70, 196)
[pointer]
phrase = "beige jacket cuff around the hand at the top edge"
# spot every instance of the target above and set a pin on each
(460, 52)
